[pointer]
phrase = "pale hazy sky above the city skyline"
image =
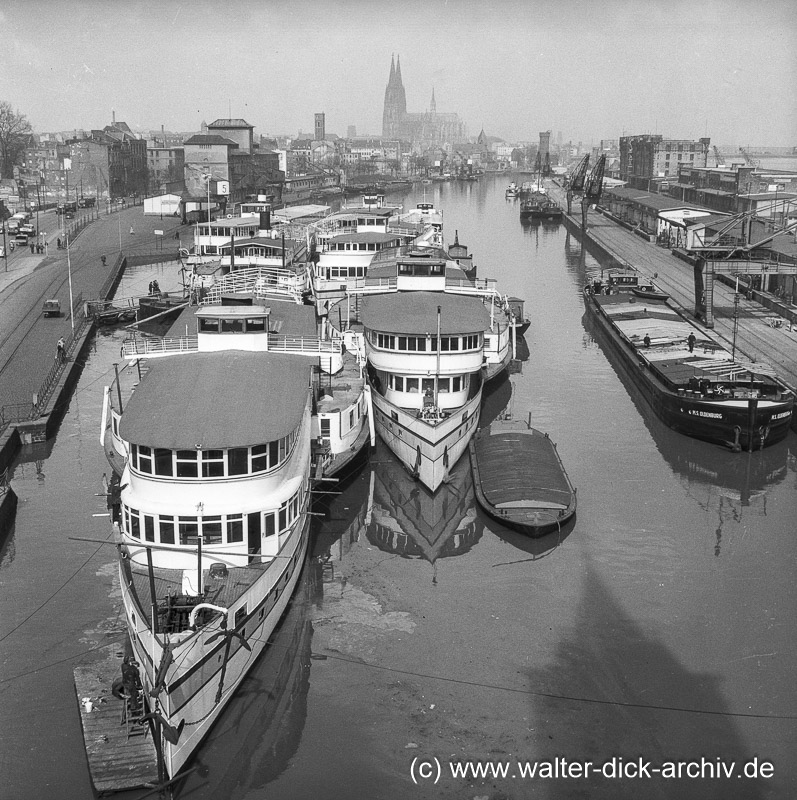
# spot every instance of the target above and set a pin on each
(591, 69)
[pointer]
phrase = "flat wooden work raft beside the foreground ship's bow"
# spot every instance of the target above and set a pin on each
(121, 752)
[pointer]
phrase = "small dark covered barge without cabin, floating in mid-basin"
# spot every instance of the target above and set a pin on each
(519, 478)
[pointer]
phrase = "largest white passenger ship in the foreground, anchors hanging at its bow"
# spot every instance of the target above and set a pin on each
(214, 452)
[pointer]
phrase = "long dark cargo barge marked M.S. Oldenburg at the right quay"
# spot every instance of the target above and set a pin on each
(691, 381)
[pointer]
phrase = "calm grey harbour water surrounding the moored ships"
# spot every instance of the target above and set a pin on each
(657, 628)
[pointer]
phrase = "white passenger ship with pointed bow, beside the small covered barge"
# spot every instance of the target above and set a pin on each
(432, 337)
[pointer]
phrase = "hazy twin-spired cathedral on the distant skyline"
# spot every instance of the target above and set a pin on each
(424, 130)
